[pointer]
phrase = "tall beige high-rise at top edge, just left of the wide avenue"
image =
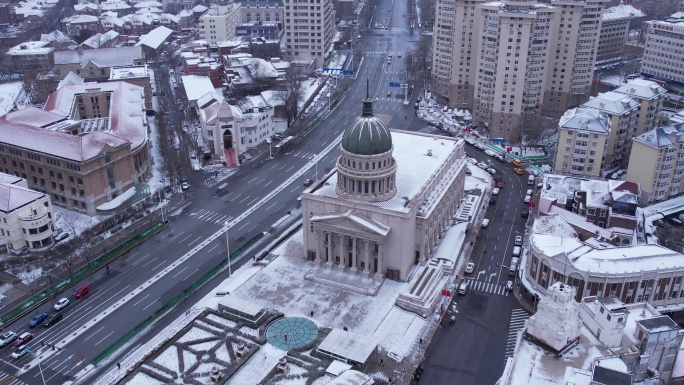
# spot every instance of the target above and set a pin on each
(309, 29)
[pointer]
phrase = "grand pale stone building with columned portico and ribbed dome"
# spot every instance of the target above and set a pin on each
(385, 206)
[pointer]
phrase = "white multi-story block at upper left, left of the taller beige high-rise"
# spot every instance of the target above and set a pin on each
(218, 23)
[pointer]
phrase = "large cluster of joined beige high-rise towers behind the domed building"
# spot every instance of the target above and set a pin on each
(510, 62)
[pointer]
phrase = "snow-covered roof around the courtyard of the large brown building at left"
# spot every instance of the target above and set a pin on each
(126, 123)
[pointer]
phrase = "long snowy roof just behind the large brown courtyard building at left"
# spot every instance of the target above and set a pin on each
(102, 57)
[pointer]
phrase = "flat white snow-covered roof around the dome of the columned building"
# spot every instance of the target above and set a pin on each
(414, 167)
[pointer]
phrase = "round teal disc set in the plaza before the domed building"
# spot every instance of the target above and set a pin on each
(291, 333)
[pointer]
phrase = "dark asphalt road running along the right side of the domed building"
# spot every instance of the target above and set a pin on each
(473, 350)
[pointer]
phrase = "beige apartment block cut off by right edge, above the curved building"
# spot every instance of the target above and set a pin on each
(657, 163)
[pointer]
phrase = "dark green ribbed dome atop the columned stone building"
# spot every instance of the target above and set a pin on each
(367, 135)
